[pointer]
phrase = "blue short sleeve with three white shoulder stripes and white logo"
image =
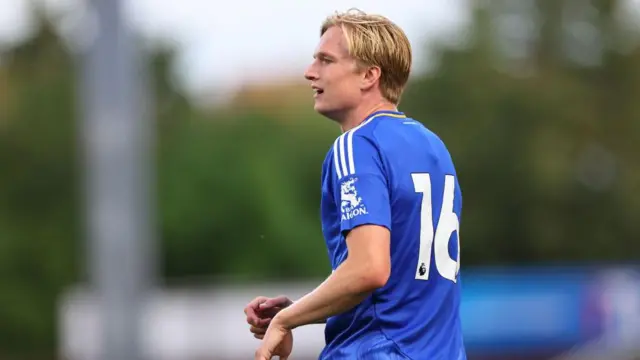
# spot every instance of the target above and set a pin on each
(362, 191)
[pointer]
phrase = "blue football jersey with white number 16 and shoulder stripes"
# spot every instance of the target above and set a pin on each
(392, 171)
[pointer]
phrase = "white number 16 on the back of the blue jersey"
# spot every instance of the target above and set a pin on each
(447, 224)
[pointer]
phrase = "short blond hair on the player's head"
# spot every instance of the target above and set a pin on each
(374, 40)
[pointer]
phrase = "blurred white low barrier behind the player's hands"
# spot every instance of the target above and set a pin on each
(185, 324)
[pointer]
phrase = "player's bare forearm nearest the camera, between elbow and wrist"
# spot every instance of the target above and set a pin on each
(345, 288)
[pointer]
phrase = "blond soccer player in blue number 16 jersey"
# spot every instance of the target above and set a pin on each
(390, 210)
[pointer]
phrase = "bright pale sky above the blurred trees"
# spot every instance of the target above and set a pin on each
(223, 44)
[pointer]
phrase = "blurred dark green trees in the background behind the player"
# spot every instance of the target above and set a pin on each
(545, 135)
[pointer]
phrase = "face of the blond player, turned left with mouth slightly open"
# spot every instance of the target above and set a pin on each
(334, 75)
